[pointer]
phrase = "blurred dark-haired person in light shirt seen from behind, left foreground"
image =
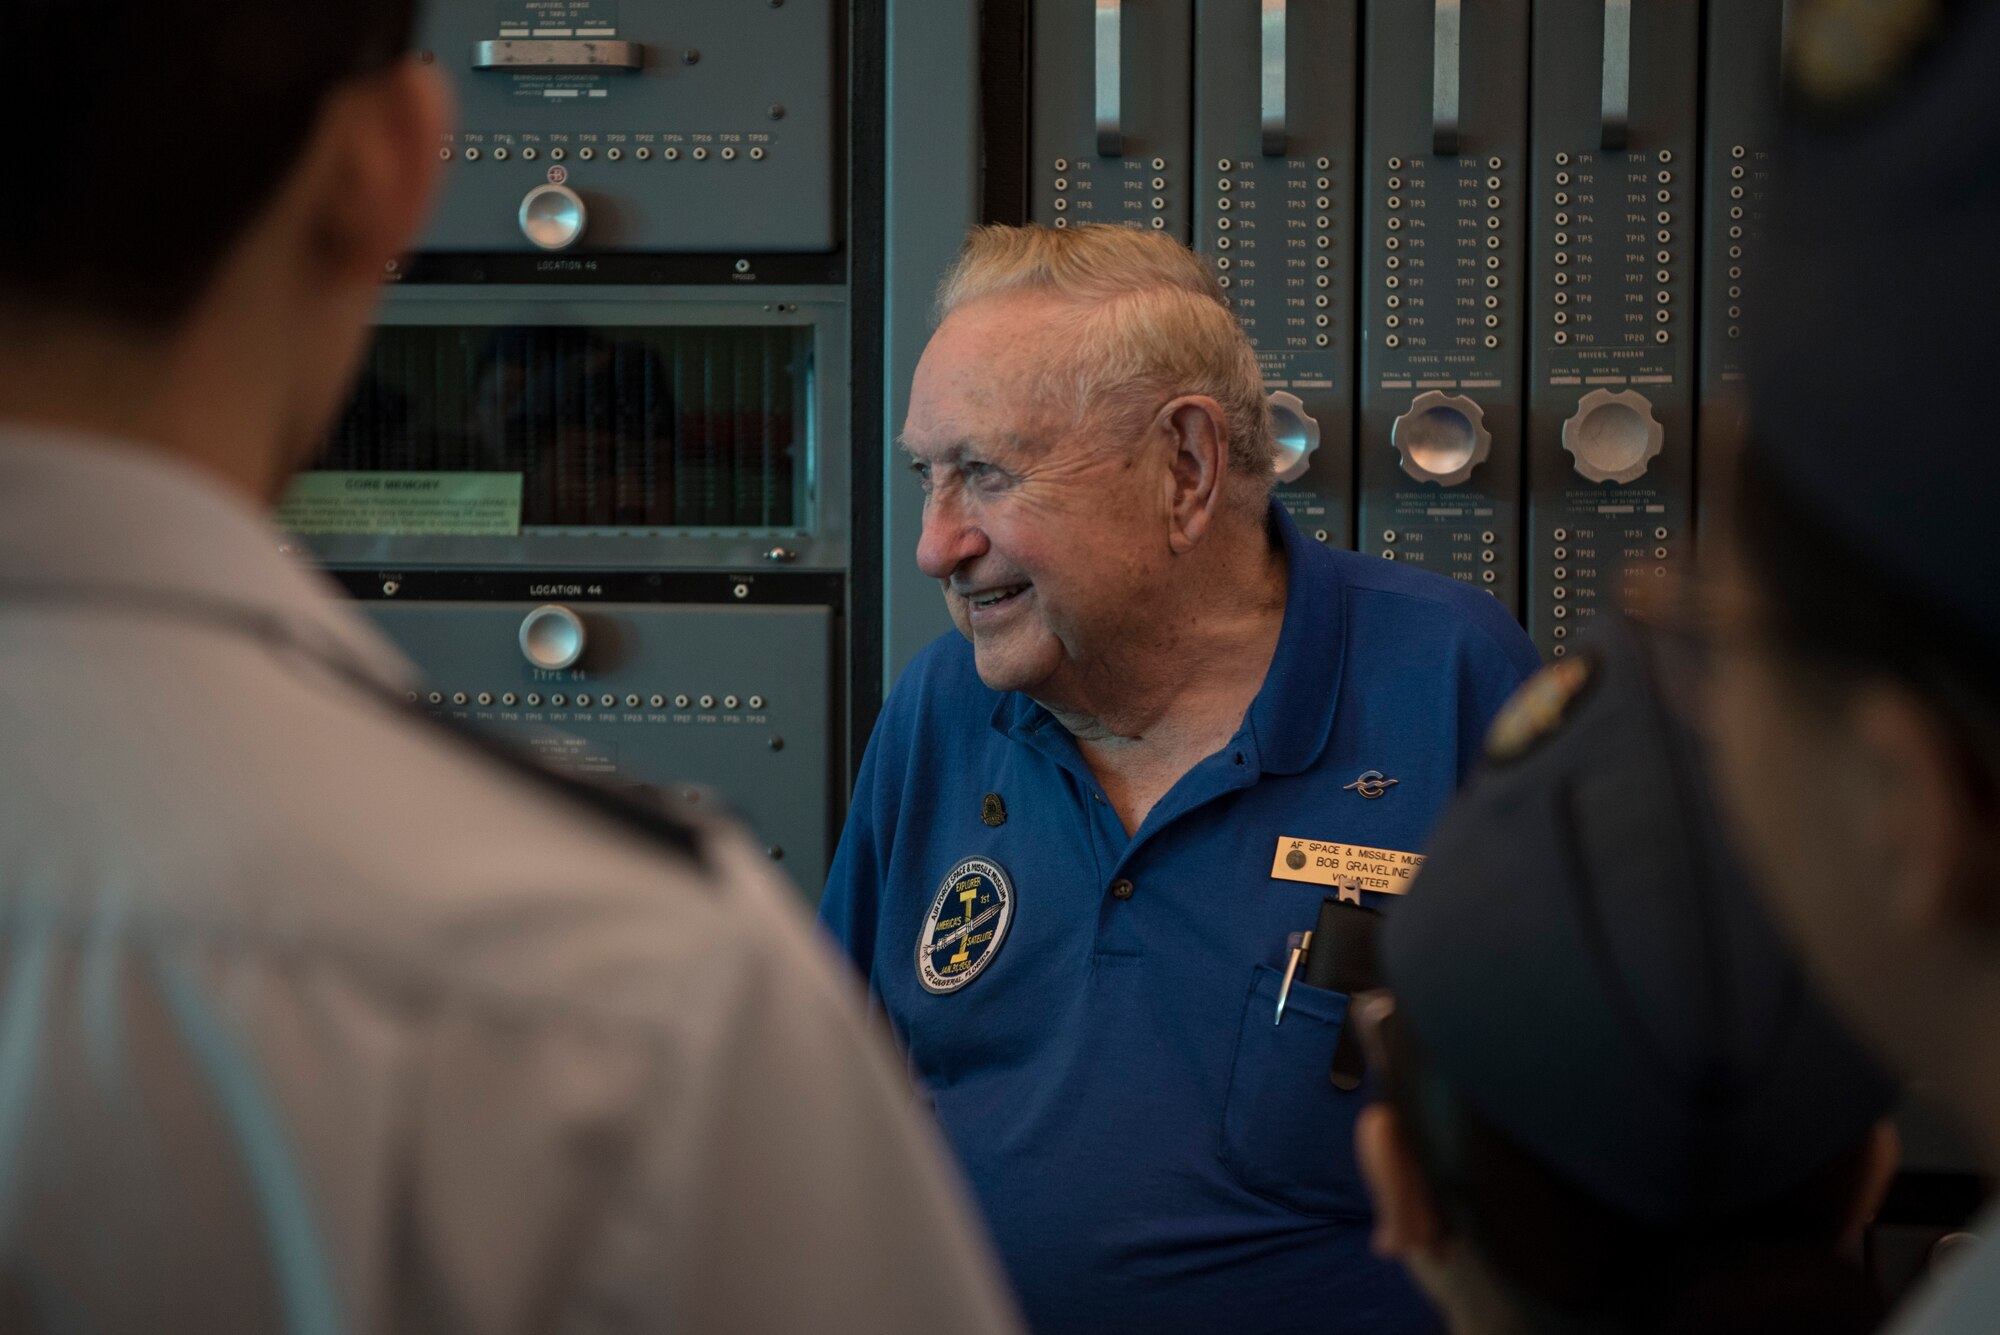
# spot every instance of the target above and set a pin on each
(317, 1018)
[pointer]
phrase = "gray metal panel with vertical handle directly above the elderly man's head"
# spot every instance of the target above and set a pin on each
(1151, 91)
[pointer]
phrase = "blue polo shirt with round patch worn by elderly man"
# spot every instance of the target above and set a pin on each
(1153, 1154)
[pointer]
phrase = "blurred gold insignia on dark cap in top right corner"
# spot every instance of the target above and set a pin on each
(1847, 55)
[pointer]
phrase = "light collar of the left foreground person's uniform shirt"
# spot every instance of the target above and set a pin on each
(85, 513)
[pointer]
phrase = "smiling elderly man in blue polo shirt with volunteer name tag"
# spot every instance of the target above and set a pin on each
(1091, 822)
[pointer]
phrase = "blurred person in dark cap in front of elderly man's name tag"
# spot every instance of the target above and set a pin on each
(1611, 1102)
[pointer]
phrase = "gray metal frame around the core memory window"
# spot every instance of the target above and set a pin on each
(823, 545)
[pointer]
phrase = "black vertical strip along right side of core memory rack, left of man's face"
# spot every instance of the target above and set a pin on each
(867, 425)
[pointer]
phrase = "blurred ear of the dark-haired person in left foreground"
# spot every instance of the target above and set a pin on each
(379, 167)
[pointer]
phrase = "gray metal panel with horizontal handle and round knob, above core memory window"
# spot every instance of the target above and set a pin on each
(721, 143)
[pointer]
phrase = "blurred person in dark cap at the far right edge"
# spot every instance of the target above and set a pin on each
(1857, 710)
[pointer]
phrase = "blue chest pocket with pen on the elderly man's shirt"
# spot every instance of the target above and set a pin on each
(1287, 1130)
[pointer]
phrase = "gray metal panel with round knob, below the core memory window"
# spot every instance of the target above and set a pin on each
(771, 764)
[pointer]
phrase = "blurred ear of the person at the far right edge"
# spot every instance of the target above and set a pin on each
(1929, 816)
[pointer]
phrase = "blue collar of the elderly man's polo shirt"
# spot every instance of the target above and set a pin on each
(1293, 714)
